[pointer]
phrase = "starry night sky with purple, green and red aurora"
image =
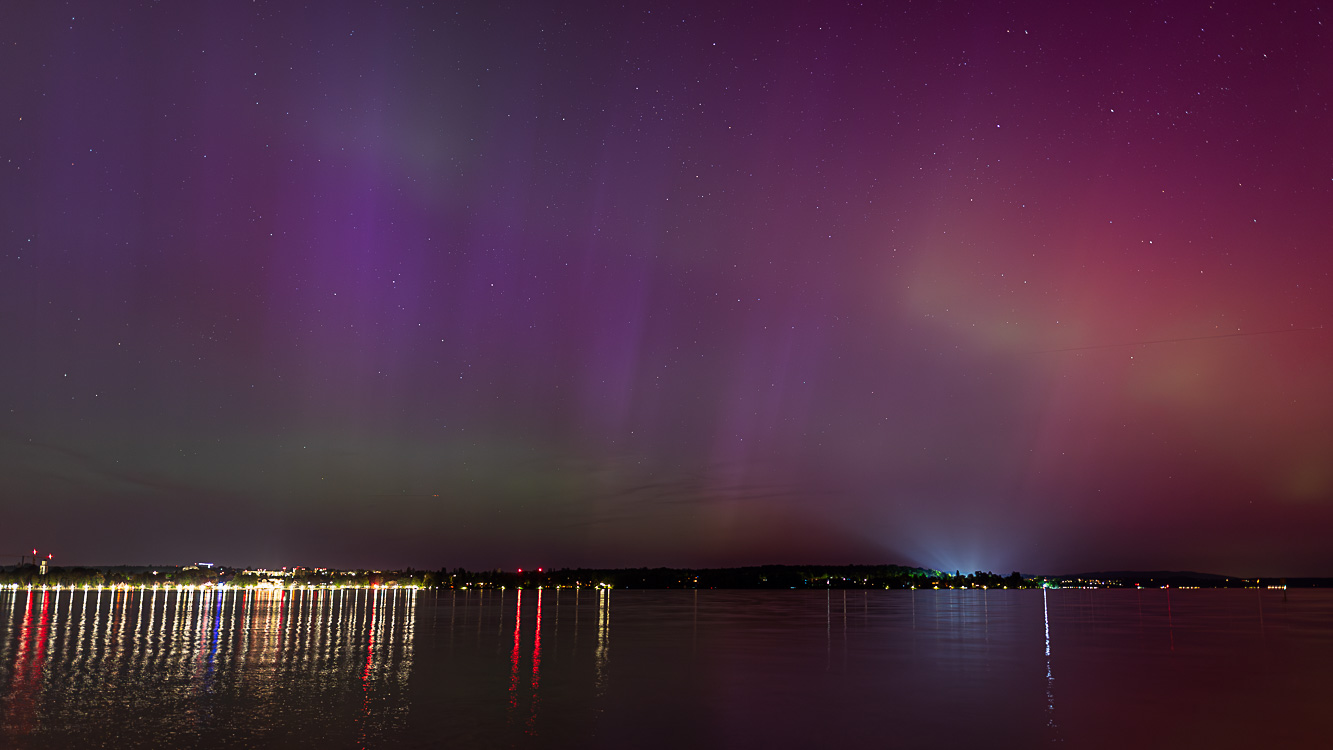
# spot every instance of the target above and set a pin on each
(998, 286)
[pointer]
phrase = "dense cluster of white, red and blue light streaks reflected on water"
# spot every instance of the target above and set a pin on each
(201, 665)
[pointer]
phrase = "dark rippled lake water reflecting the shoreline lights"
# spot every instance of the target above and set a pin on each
(667, 669)
